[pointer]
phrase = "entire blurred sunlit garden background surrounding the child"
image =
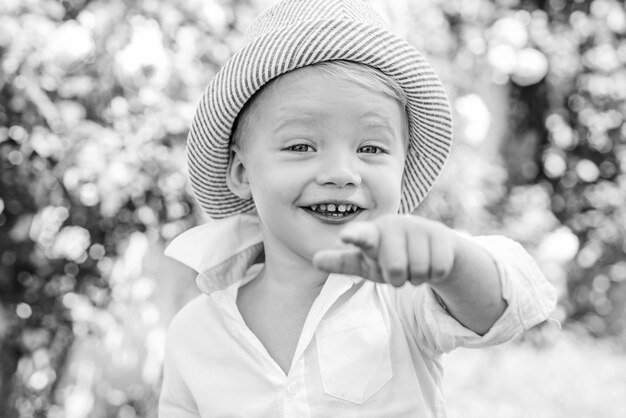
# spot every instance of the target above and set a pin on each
(96, 97)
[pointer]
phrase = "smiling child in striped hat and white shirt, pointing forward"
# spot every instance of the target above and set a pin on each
(310, 149)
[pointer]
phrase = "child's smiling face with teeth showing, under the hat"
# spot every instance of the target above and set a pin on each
(317, 153)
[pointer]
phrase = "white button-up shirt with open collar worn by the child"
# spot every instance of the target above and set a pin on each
(366, 349)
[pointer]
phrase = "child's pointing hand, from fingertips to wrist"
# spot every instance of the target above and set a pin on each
(393, 249)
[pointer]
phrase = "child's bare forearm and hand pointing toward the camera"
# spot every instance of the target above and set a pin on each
(398, 248)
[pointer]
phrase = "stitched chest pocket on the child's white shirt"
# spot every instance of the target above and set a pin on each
(353, 352)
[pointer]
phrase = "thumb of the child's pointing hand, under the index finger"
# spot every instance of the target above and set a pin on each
(347, 260)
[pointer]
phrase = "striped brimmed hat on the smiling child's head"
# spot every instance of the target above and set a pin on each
(295, 33)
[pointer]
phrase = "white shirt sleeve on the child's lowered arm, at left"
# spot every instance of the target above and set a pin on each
(175, 400)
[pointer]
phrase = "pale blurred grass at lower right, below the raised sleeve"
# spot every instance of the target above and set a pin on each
(574, 377)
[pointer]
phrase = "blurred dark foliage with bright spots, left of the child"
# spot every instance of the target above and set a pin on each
(95, 101)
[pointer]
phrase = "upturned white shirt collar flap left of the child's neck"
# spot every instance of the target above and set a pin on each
(221, 251)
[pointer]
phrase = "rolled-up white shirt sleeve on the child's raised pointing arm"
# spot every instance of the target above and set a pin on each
(530, 299)
